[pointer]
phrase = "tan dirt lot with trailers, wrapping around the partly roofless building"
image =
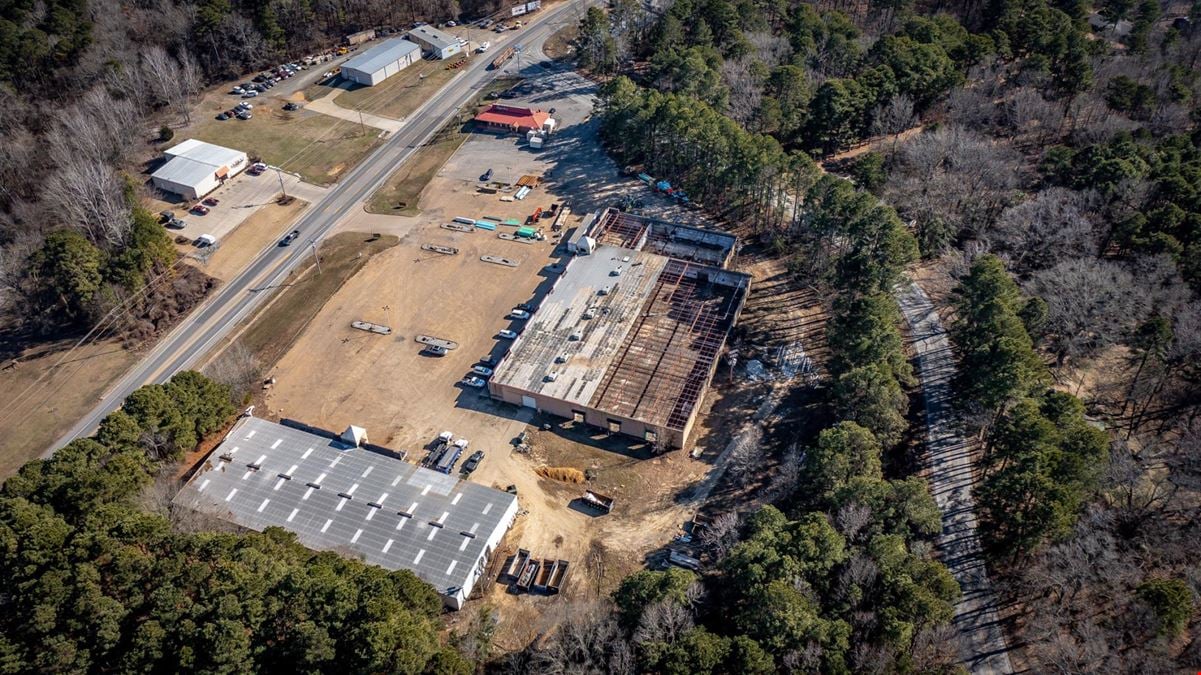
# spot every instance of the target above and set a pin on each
(405, 399)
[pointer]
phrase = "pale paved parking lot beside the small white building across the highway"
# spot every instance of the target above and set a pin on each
(241, 198)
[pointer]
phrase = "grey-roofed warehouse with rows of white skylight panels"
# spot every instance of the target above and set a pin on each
(336, 495)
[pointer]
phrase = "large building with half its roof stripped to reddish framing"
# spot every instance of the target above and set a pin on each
(630, 336)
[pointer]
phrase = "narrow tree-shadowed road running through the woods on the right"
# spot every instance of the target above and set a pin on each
(952, 476)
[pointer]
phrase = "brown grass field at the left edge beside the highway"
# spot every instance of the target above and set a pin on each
(33, 420)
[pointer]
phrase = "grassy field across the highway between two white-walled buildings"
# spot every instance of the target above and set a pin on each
(318, 147)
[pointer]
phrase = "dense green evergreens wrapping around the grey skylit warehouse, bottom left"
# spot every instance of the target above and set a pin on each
(98, 582)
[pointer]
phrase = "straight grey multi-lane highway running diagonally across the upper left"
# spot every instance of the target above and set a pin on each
(214, 320)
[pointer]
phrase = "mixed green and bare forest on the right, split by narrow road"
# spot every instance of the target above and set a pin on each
(1043, 159)
